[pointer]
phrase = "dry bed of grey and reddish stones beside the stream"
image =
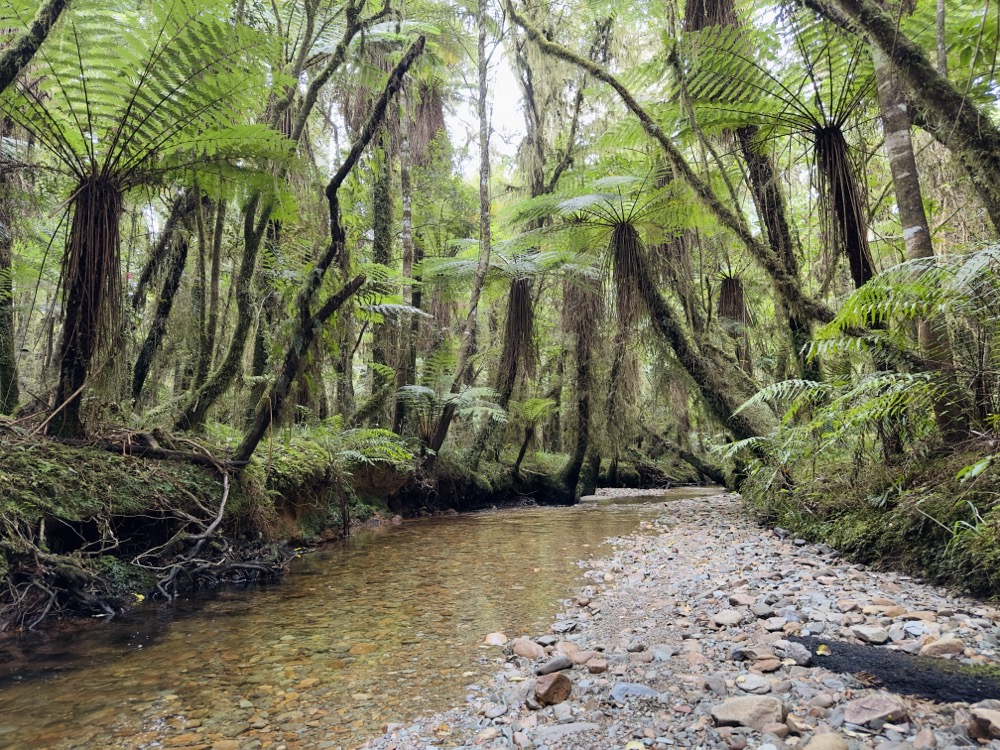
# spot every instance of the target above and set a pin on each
(705, 630)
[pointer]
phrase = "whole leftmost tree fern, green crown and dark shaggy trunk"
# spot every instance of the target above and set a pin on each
(126, 98)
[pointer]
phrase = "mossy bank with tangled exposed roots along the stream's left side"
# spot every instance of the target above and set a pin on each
(89, 531)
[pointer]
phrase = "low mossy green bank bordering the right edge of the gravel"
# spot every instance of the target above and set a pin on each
(932, 515)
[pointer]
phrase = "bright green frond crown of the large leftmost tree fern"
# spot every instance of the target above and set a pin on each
(137, 95)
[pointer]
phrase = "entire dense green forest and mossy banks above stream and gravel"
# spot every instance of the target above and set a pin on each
(265, 266)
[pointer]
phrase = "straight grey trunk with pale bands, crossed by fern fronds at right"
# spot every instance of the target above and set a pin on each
(934, 343)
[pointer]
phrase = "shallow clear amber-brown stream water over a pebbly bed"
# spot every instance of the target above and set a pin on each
(383, 628)
